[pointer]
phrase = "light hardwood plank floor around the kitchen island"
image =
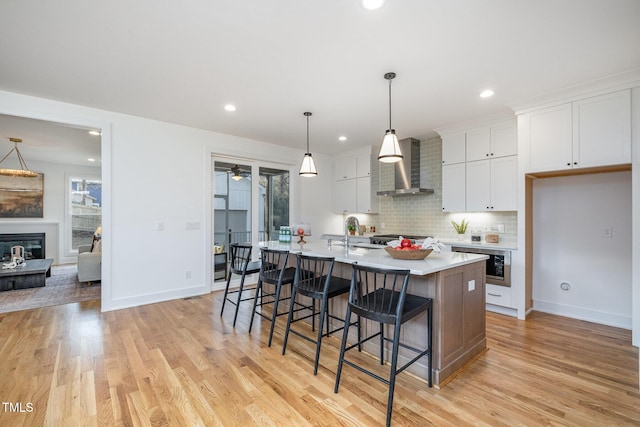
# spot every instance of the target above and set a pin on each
(180, 364)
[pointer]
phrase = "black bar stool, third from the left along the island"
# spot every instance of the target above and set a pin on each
(314, 280)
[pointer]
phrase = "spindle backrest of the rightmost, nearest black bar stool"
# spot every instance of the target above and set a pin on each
(378, 294)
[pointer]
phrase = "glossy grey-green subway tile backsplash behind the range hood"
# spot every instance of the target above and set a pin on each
(422, 214)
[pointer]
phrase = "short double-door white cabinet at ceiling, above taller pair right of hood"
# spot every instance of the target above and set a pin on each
(498, 140)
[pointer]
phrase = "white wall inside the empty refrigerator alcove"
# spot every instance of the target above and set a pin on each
(570, 215)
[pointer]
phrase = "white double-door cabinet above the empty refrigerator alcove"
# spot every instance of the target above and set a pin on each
(591, 132)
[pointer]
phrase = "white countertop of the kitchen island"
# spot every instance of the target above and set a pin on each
(379, 257)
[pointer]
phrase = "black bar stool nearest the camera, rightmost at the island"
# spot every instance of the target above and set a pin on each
(381, 295)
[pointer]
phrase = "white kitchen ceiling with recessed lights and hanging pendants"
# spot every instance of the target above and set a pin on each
(183, 61)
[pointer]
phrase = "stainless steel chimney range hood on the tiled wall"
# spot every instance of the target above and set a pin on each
(408, 171)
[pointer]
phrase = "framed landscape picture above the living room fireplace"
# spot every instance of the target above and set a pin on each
(21, 197)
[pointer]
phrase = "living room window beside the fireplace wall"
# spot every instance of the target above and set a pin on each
(85, 197)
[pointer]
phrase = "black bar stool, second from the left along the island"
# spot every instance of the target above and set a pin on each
(273, 272)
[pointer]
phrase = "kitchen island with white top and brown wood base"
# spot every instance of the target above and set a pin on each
(455, 281)
